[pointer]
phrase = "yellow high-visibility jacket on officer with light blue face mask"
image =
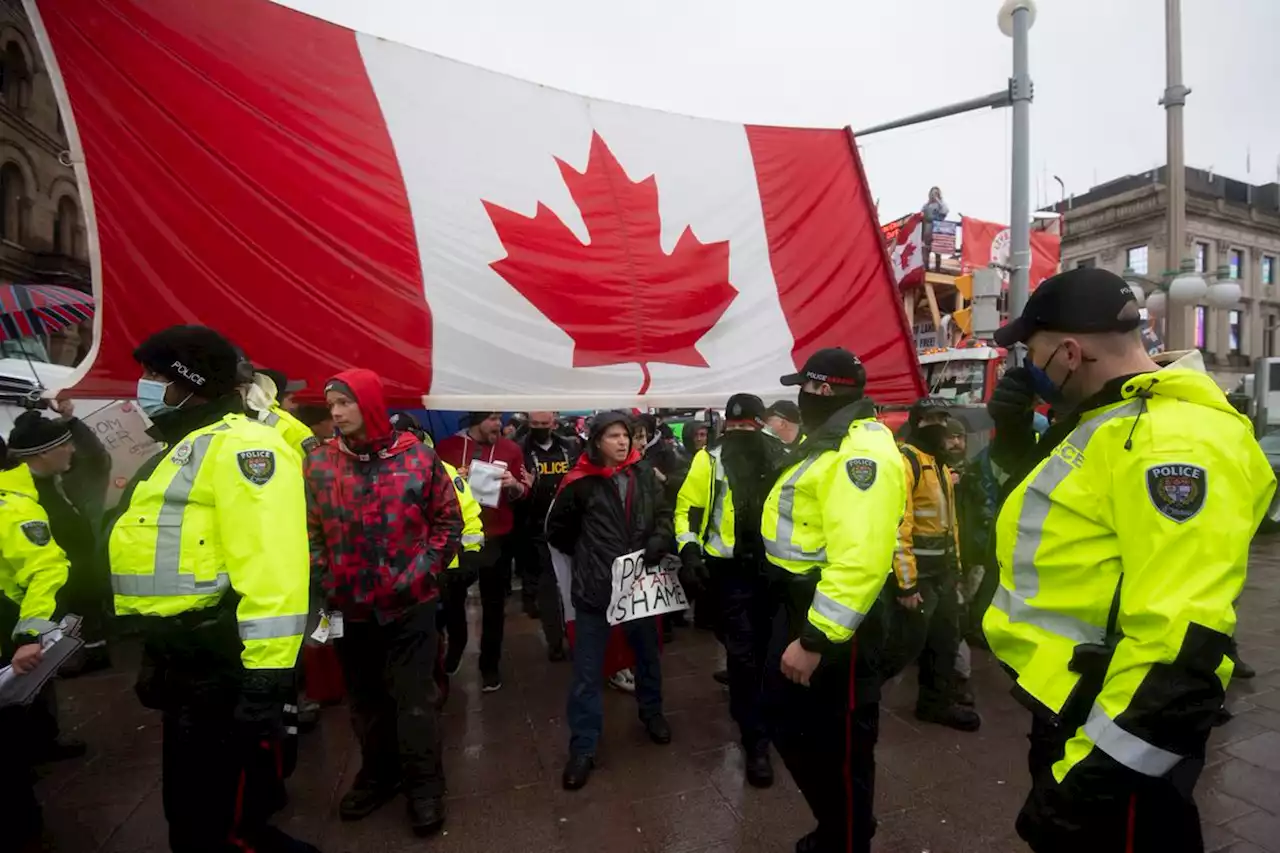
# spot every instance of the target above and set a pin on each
(225, 509)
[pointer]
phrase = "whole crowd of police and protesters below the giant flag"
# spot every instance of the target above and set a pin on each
(826, 553)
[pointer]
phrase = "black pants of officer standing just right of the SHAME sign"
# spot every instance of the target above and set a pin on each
(746, 609)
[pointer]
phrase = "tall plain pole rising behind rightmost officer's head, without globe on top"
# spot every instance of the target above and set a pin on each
(1176, 177)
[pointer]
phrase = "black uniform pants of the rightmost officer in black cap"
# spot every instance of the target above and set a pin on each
(1137, 815)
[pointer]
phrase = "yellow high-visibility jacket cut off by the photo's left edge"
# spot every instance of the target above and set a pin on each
(33, 567)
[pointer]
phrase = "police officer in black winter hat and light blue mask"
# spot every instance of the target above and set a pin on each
(209, 550)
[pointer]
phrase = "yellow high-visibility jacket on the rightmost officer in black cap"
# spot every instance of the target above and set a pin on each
(1149, 508)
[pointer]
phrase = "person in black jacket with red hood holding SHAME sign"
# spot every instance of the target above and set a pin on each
(610, 505)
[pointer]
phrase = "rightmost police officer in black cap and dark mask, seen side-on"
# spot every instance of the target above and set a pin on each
(1121, 555)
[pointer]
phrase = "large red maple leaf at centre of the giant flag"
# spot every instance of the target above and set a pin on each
(619, 297)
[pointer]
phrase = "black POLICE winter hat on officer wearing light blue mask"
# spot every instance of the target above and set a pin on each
(194, 358)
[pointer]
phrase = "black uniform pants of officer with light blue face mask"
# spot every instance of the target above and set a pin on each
(221, 784)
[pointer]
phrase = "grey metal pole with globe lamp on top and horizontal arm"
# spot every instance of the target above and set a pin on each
(1021, 203)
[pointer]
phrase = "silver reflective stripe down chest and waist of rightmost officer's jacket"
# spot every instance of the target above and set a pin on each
(1031, 532)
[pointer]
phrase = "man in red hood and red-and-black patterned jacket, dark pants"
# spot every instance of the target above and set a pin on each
(385, 523)
